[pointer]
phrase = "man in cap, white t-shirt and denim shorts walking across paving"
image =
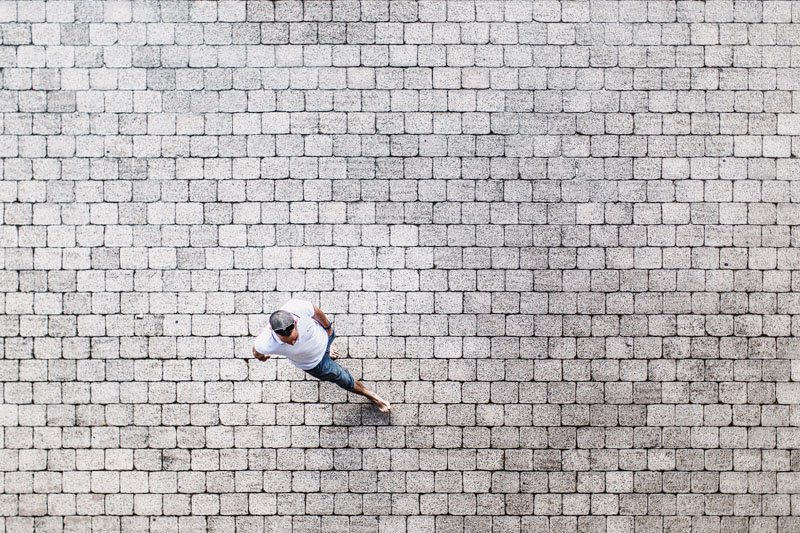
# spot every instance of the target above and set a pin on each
(302, 333)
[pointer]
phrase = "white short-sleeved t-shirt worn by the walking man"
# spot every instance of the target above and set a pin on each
(311, 342)
